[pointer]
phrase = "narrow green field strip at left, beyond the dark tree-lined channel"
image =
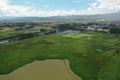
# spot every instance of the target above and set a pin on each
(11, 32)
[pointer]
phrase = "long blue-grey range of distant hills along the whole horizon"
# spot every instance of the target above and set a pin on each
(106, 17)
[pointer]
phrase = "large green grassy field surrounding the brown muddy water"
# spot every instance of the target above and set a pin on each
(93, 56)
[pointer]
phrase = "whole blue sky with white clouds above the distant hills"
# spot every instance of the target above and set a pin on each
(43, 8)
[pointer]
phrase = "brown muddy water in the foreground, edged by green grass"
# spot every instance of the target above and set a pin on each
(43, 70)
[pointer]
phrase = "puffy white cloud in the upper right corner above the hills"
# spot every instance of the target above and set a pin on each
(105, 6)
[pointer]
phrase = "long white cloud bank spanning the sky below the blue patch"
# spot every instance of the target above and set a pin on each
(98, 7)
